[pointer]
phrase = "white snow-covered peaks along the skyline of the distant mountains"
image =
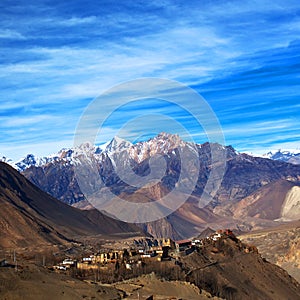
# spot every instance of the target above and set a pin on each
(162, 143)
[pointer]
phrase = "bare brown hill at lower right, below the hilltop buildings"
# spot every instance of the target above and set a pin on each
(230, 269)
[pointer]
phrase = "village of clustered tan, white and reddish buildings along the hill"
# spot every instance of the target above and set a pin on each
(143, 250)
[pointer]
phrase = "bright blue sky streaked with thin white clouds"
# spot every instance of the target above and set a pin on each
(56, 56)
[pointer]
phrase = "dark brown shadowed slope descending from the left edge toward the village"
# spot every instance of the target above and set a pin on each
(29, 216)
